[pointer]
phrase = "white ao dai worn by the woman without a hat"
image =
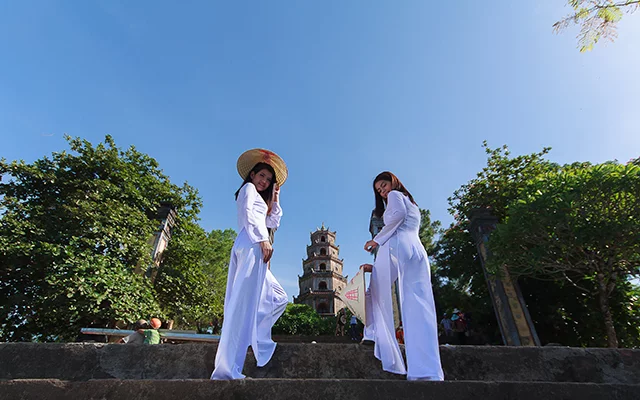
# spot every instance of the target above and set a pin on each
(402, 256)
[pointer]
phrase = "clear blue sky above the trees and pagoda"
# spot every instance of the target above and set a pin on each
(341, 90)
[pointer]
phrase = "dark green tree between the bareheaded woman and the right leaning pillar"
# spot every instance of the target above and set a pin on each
(458, 278)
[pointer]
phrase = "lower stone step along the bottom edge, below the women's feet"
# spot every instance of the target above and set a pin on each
(308, 389)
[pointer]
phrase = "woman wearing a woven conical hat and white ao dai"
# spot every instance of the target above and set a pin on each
(254, 299)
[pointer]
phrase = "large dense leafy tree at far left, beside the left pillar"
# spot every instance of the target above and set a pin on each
(73, 228)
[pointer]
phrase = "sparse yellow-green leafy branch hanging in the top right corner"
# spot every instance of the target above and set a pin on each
(598, 19)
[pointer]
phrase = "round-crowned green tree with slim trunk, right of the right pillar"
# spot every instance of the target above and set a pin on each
(578, 225)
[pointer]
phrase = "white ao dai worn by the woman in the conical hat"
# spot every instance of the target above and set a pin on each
(254, 299)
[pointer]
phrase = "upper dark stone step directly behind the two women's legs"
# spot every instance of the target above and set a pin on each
(78, 361)
